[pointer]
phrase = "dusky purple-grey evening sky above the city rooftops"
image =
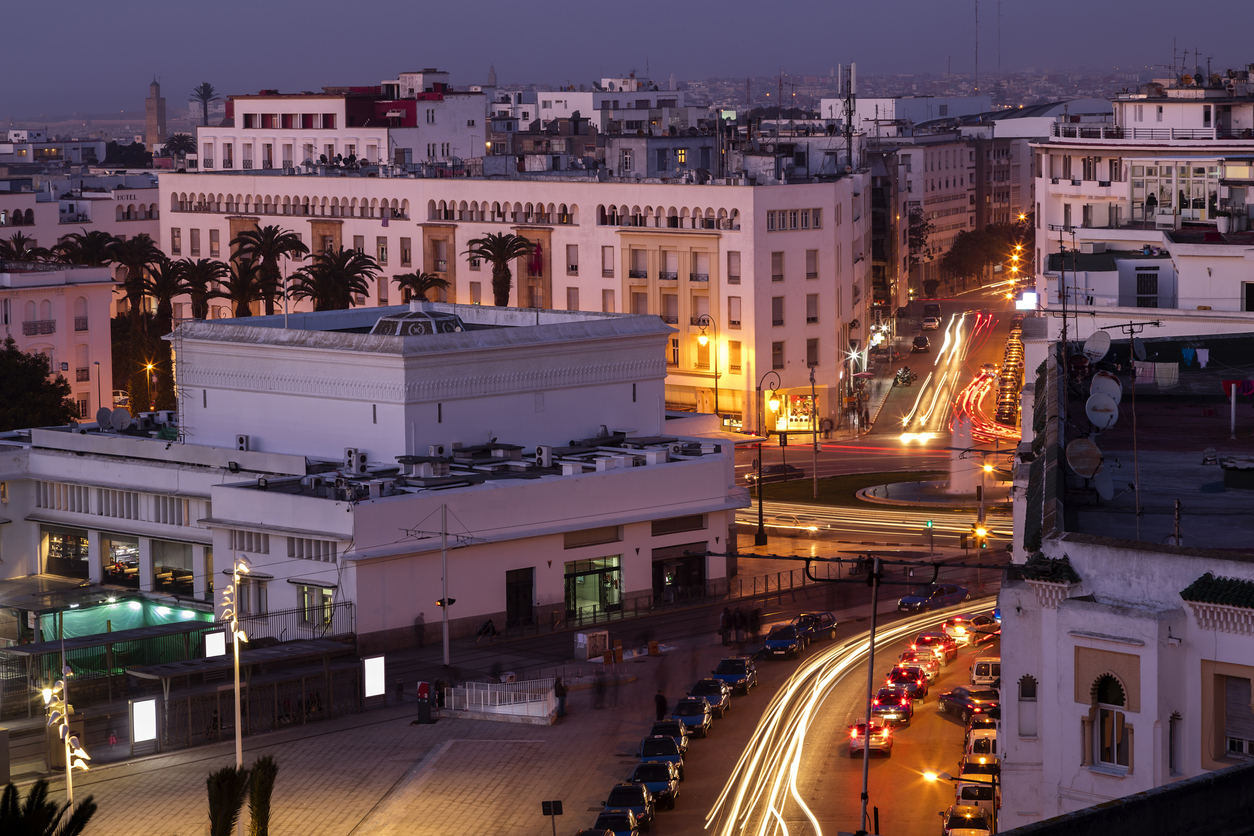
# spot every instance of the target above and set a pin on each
(92, 57)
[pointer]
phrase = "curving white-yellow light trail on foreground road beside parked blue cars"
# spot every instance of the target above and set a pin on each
(764, 779)
